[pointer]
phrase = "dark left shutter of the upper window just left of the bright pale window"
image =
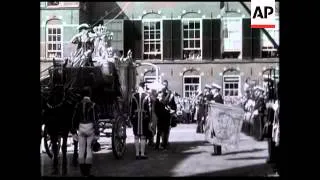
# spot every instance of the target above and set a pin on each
(176, 39)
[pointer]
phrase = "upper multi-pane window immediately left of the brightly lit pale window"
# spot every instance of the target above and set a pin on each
(192, 40)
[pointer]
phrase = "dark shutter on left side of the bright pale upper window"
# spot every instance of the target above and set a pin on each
(217, 38)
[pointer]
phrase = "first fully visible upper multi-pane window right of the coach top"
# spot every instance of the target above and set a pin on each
(152, 39)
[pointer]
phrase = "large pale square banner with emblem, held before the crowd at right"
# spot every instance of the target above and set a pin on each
(223, 125)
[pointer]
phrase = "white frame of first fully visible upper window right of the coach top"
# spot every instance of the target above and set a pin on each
(161, 38)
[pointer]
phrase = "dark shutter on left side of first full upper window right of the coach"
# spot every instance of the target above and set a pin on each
(137, 52)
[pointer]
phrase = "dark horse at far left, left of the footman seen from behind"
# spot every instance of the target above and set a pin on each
(57, 116)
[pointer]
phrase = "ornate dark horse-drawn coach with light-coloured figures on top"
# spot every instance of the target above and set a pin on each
(92, 65)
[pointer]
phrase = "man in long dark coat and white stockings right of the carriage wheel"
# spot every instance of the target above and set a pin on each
(140, 118)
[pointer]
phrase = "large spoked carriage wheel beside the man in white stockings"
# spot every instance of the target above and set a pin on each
(119, 137)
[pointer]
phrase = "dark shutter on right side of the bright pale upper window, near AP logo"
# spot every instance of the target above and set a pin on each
(246, 39)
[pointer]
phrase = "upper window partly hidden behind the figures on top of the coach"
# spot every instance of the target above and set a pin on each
(116, 27)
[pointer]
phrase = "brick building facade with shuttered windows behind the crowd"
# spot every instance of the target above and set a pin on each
(192, 43)
